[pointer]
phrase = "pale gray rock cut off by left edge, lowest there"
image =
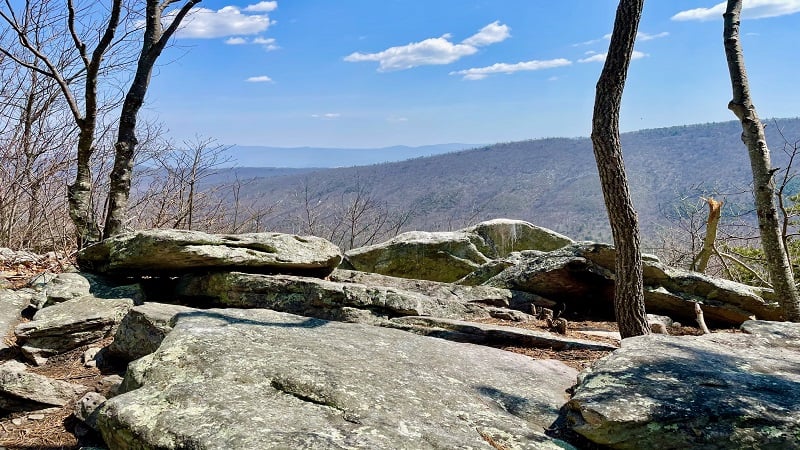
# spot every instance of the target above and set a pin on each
(21, 390)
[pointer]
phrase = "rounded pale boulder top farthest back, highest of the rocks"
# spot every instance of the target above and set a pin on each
(500, 237)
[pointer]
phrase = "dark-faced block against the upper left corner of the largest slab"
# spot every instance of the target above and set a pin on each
(142, 330)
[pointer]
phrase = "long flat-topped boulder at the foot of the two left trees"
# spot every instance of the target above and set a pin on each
(172, 252)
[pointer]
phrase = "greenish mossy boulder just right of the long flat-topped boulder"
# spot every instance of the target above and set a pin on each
(440, 256)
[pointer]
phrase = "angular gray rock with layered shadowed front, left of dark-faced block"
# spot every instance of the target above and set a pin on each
(70, 324)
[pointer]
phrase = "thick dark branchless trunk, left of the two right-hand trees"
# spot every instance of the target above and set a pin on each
(629, 289)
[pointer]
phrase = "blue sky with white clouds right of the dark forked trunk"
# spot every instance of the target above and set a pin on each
(359, 73)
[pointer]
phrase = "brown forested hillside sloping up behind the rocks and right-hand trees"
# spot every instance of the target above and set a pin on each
(550, 182)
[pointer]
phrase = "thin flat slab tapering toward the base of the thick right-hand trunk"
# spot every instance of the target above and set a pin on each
(489, 334)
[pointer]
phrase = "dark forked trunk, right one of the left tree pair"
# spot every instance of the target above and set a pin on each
(154, 41)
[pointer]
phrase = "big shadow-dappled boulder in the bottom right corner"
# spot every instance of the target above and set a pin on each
(715, 391)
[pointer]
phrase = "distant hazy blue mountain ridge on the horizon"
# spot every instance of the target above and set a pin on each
(305, 157)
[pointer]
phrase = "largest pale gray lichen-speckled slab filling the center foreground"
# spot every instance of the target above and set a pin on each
(244, 379)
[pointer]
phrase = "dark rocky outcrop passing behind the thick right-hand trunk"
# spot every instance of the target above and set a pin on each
(582, 277)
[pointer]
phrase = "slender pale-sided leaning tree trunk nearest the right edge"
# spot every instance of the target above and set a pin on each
(780, 270)
